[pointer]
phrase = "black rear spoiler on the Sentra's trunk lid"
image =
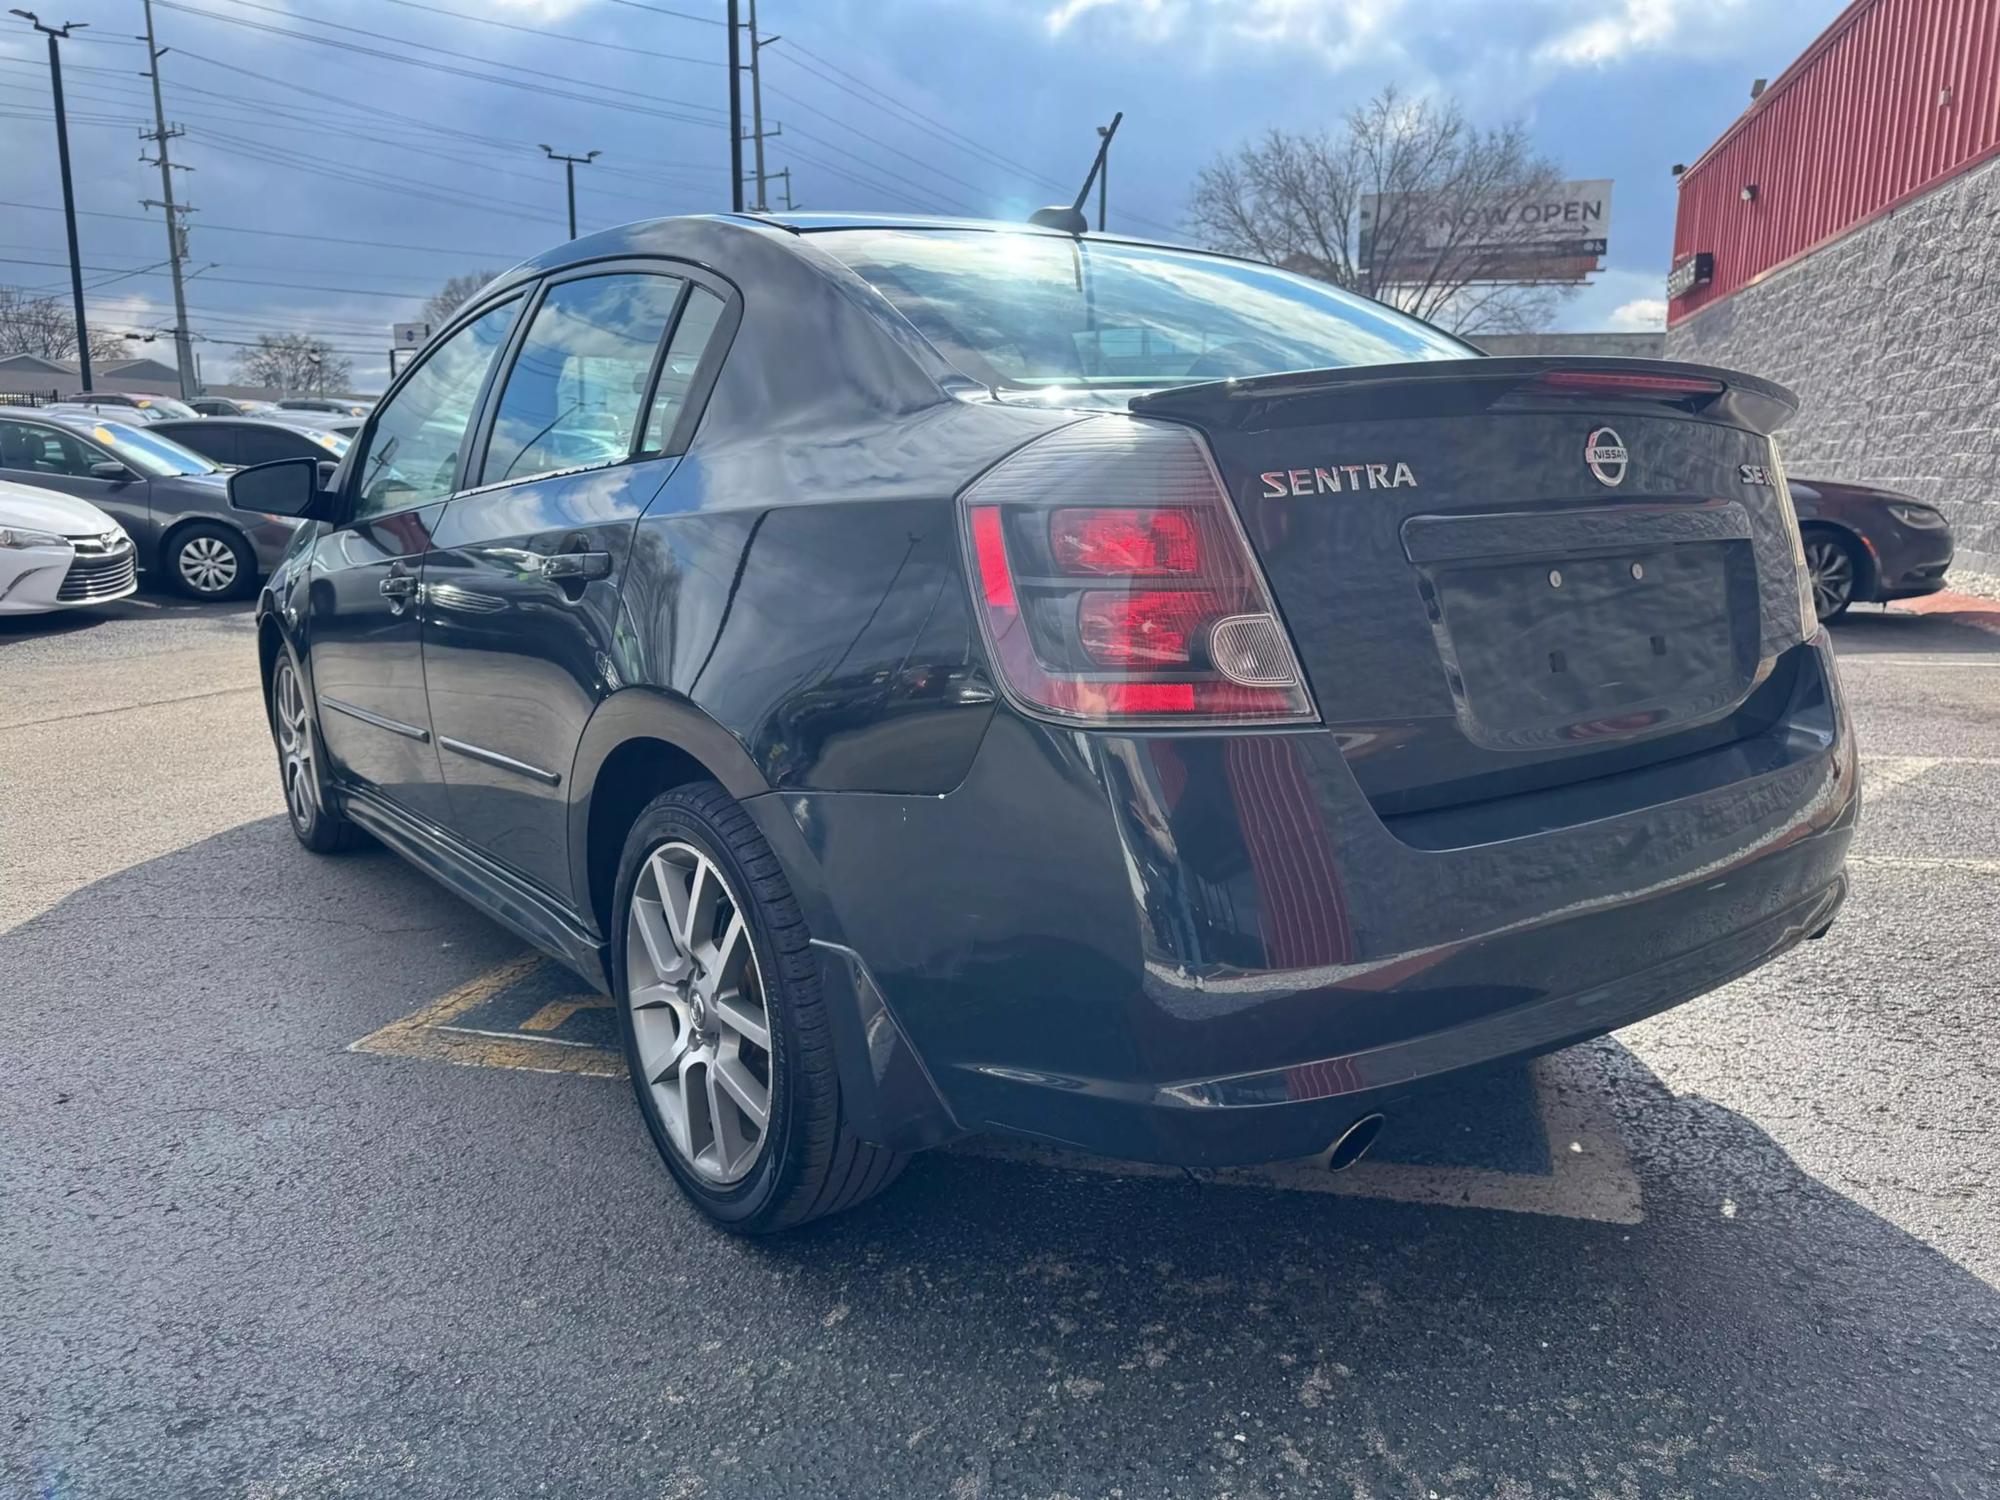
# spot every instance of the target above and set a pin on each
(1473, 387)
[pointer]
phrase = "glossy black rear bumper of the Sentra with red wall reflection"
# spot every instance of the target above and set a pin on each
(1209, 949)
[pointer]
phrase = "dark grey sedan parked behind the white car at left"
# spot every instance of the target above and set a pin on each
(171, 501)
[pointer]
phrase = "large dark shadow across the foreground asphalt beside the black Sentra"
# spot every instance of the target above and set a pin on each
(985, 1329)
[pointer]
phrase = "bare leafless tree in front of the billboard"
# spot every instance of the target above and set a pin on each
(1405, 203)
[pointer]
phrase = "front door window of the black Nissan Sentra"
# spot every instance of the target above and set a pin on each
(413, 455)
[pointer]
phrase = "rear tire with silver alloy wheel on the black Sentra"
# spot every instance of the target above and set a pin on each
(725, 1029)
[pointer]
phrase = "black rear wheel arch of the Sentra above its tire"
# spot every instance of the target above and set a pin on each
(637, 745)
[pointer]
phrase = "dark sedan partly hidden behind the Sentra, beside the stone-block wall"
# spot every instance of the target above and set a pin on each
(1869, 547)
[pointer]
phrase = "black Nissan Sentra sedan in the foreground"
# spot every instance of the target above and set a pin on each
(955, 677)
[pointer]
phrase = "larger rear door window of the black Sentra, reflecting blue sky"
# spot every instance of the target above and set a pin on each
(573, 397)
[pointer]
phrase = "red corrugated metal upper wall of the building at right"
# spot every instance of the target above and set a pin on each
(1849, 131)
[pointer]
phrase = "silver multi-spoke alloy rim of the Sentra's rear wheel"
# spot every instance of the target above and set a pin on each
(699, 1013)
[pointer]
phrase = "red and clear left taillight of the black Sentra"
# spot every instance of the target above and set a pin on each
(1117, 585)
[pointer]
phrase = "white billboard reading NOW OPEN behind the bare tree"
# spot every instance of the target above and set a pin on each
(1553, 237)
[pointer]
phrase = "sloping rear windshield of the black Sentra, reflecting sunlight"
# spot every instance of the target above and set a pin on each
(1045, 311)
